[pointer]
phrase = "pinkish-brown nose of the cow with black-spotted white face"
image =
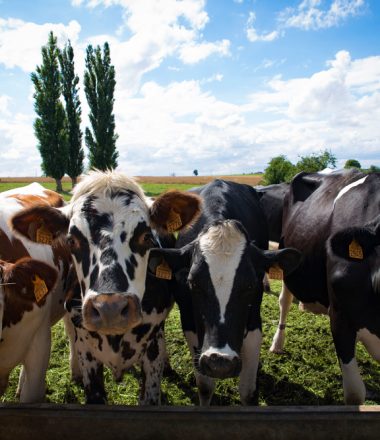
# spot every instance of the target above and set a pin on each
(113, 313)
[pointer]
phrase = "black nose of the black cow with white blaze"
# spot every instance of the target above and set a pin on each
(219, 366)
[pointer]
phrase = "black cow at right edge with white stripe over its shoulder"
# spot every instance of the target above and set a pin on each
(334, 221)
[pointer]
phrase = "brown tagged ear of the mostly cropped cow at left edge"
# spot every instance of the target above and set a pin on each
(35, 275)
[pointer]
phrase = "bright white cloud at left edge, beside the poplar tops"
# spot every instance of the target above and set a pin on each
(21, 41)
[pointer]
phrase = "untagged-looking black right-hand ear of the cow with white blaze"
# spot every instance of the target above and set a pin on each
(286, 259)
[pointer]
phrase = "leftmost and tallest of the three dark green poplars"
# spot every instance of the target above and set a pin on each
(50, 125)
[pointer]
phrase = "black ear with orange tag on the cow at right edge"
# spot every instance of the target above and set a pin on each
(354, 244)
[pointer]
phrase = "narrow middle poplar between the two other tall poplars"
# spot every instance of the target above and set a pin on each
(70, 92)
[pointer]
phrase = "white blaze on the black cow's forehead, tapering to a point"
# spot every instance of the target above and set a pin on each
(222, 246)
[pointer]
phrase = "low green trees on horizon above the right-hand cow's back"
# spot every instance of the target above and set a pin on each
(280, 169)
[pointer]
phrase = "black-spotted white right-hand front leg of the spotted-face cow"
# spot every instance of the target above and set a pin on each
(152, 367)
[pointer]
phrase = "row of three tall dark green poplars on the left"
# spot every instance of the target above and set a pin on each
(59, 115)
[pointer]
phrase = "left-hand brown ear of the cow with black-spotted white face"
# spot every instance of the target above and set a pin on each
(41, 224)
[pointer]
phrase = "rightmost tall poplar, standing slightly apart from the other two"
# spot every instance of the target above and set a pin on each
(99, 86)
